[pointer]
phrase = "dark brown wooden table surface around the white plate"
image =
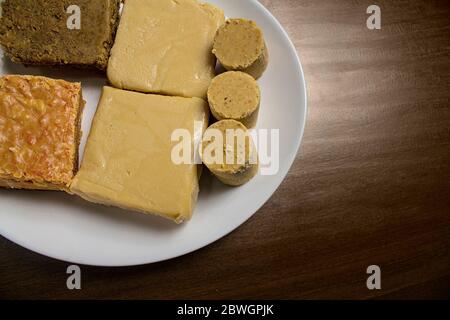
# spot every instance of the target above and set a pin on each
(371, 184)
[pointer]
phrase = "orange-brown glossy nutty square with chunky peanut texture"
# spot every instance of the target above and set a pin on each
(39, 132)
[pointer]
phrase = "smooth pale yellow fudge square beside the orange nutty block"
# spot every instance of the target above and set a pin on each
(128, 157)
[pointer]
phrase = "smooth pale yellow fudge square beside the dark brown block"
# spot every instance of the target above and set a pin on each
(165, 46)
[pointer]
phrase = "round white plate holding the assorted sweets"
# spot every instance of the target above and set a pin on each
(67, 228)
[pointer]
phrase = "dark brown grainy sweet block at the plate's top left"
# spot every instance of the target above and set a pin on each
(35, 32)
